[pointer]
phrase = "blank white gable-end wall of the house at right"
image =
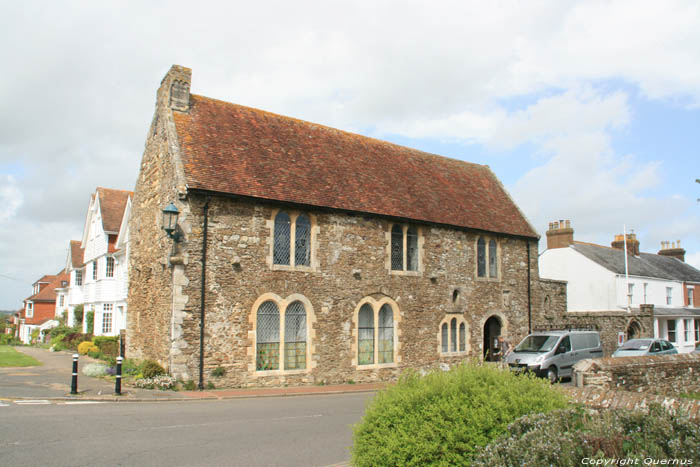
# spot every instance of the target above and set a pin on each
(590, 286)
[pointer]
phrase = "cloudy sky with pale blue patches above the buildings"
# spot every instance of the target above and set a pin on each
(588, 111)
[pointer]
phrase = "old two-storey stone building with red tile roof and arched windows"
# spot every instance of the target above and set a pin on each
(305, 254)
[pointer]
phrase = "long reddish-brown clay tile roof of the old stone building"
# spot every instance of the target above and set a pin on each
(228, 148)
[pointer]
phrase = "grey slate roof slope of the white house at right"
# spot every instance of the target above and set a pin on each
(646, 264)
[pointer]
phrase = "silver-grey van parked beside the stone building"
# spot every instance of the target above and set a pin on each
(554, 353)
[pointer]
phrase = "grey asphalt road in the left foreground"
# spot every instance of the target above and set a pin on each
(272, 431)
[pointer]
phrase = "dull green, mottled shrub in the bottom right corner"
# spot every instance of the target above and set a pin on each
(566, 437)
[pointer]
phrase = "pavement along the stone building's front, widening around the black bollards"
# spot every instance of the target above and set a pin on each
(52, 380)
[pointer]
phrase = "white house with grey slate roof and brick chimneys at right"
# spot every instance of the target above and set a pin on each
(598, 281)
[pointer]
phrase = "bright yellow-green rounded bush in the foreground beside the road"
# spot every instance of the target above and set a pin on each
(442, 418)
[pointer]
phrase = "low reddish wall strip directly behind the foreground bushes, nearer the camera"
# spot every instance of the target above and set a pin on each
(614, 399)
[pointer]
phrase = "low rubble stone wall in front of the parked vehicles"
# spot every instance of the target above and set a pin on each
(663, 374)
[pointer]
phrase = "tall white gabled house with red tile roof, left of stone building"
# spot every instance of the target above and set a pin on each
(97, 264)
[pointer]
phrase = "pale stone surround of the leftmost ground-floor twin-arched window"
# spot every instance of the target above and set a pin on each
(282, 304)
